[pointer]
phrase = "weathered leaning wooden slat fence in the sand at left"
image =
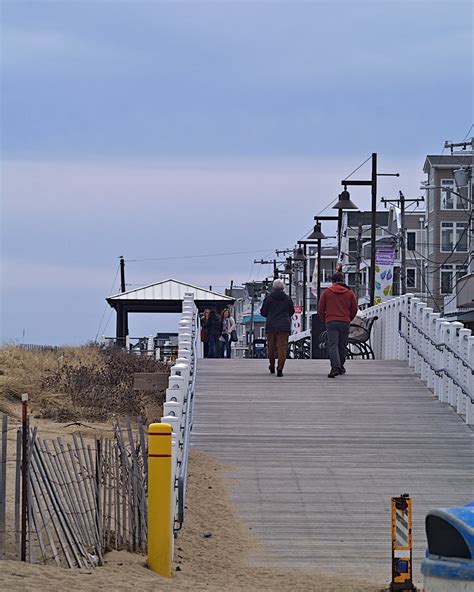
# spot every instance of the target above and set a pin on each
(84, 496)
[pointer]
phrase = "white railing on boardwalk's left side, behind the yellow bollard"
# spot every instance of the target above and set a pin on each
(179, 405)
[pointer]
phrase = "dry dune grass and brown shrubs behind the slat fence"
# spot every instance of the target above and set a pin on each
(75, 383)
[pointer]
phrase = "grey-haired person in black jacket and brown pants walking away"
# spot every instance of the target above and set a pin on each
(278, 309)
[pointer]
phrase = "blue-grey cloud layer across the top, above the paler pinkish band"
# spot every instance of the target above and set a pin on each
(233, 78)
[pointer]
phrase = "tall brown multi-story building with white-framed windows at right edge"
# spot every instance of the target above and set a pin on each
(448, 217)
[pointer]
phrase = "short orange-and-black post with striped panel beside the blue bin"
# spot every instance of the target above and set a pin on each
(402, 548)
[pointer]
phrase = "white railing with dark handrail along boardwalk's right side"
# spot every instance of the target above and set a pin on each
(441, 352)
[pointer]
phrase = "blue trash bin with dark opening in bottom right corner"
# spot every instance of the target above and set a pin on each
(449, 565)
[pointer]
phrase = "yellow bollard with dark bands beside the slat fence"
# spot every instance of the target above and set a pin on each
(159, 499)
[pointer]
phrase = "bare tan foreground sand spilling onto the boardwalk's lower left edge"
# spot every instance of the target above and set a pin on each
(212, 552)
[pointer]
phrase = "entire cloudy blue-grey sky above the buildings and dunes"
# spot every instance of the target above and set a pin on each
(200, 136)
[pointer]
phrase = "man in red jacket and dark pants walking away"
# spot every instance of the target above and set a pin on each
(336, 308)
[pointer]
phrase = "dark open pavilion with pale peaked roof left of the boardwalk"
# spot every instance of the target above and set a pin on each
(164, 296)
